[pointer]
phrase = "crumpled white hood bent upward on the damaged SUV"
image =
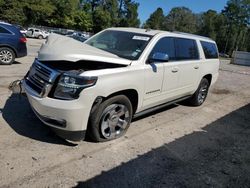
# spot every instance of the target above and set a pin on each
(61, 48)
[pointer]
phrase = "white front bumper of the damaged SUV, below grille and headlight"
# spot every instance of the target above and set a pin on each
(69, 119)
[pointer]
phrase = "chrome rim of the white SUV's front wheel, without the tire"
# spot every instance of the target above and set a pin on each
(114, 121)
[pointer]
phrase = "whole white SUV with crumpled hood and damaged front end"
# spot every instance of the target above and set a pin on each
(98, 86)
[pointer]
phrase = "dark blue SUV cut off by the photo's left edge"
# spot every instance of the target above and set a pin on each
(12, 43)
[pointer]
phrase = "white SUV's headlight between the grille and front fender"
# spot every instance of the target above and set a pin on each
(70, 86)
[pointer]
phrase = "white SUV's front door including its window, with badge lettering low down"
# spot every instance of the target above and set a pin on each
(158, 81)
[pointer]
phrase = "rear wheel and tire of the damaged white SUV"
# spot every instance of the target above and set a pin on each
(199, 97)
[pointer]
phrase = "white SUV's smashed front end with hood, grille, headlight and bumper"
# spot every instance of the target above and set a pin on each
(63, 69)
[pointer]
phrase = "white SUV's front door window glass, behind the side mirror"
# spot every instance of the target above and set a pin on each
(165, 45)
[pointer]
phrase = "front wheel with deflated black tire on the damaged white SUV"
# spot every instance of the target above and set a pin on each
(111, 119)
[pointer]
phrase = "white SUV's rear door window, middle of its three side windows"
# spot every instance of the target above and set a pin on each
(186, 49)
